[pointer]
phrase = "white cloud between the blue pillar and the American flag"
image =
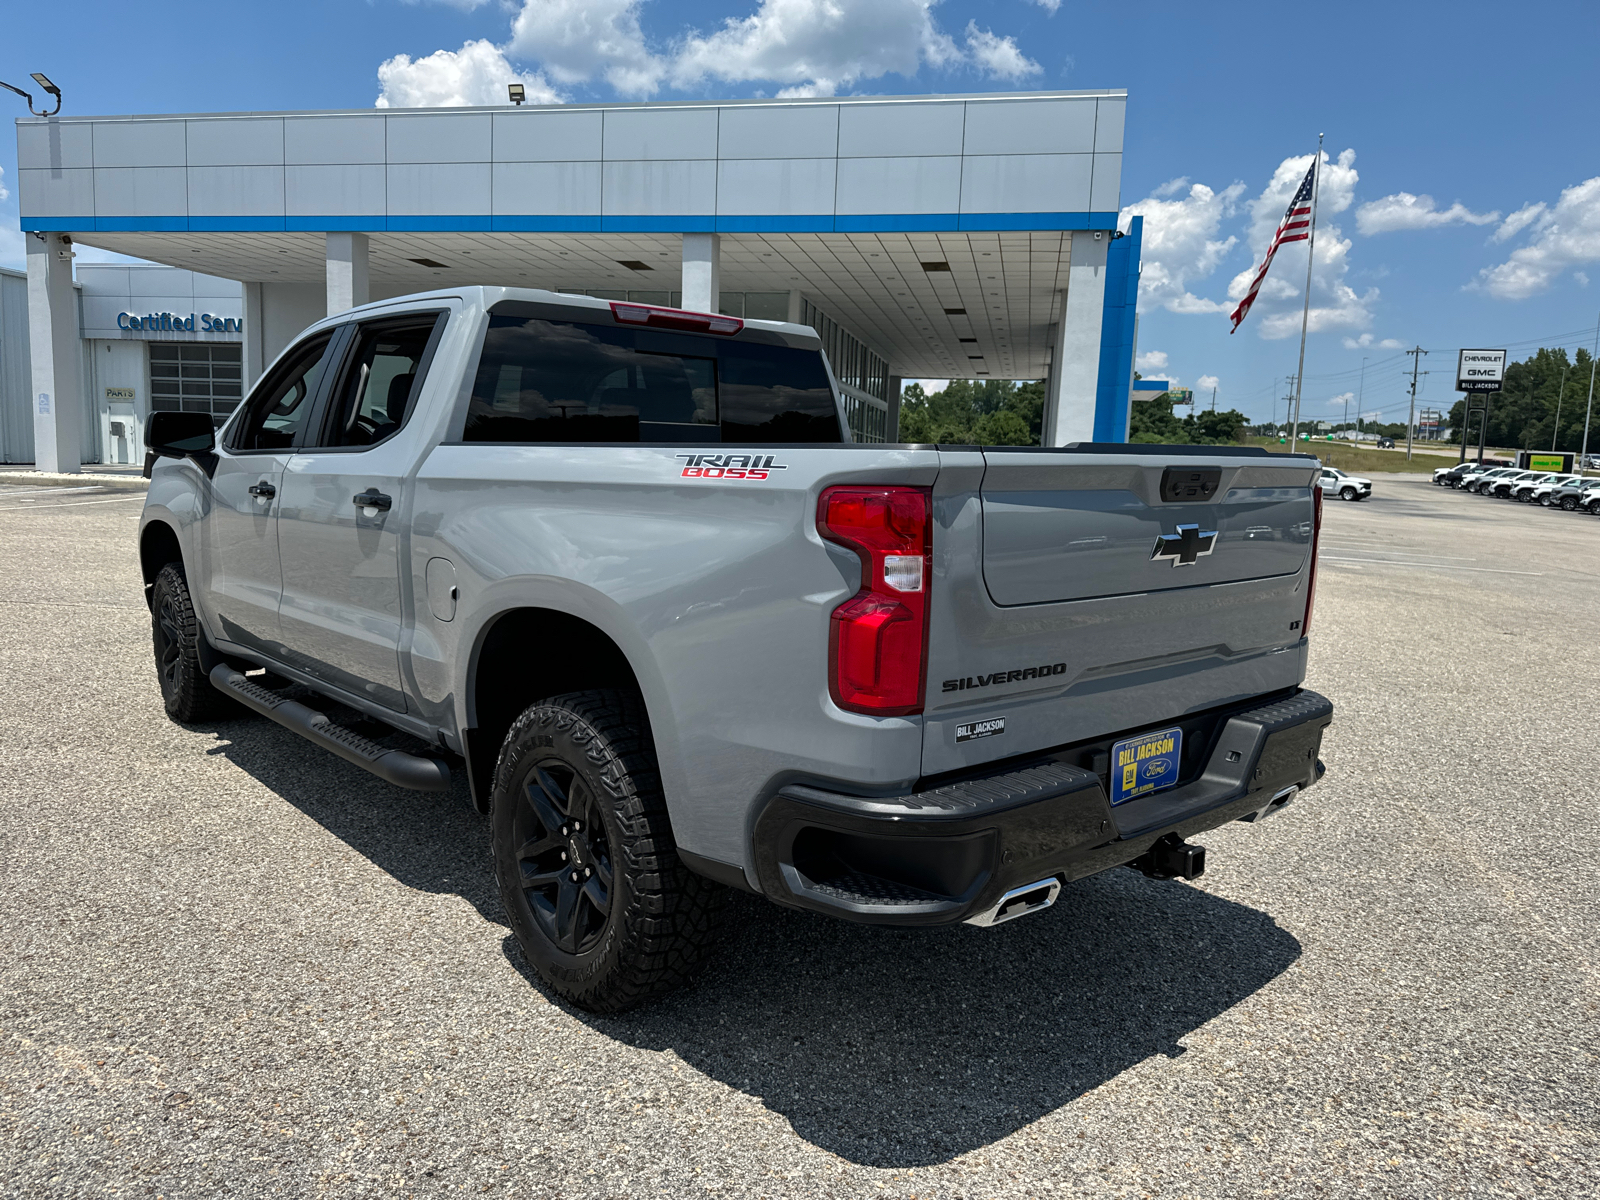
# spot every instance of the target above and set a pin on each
(1182, 246)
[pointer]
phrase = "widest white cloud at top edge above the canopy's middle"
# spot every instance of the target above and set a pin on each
(817, 47)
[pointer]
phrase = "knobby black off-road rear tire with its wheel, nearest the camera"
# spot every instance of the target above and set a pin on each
(662, 919)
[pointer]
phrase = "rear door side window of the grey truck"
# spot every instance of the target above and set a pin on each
(382, 378)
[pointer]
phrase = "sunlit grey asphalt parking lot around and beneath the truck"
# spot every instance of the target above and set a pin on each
(234, 966)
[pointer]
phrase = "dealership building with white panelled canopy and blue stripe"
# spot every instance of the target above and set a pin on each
(921, 236)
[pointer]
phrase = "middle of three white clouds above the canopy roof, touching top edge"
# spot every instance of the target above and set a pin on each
(578, 41)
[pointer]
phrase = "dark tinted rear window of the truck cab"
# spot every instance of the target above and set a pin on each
(567, 382)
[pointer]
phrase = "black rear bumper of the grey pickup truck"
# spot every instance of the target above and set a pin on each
(951, 854)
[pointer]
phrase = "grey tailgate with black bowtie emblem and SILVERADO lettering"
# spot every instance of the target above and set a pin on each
(1086, 594)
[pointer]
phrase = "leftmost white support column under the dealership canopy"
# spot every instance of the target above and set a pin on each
(57, 354)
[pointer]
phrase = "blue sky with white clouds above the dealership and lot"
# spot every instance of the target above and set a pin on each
(1463, 190)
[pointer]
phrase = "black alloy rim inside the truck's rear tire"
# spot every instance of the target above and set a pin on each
(564, 855)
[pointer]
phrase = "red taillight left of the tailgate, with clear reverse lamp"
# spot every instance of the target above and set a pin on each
(878, 639)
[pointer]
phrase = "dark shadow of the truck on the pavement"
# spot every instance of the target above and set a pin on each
(887, 1047)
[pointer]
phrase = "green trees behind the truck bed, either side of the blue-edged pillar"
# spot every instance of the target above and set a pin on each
(1009, 414)
